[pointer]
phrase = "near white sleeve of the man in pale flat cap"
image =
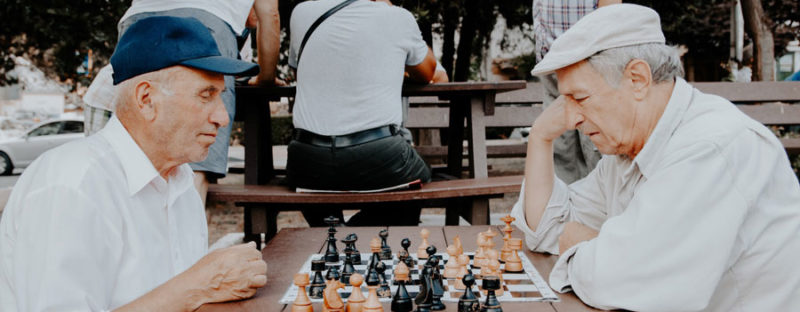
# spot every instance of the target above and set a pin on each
(673, 241)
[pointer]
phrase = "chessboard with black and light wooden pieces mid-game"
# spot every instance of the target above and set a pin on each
(425, 280)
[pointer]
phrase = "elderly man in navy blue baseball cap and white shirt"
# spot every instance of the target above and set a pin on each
(113, 221)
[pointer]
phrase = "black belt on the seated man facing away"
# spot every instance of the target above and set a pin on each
(351, 139)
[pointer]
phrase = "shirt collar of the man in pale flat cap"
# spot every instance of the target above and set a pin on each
(666, 126)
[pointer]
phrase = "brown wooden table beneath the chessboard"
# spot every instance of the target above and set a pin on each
(286, 253)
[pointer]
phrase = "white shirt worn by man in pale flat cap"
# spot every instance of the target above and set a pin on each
(706, 217)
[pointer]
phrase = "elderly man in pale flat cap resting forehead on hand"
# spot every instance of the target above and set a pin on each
(694, 205)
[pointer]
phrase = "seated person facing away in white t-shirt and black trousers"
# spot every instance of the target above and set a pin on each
(348, 111)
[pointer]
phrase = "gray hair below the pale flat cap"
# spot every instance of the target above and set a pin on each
(664, 61)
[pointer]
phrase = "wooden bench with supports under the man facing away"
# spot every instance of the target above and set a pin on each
(265, 201)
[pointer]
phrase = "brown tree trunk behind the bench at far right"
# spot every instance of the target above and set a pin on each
(758, 26)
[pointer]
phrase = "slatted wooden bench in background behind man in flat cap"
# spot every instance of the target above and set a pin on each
(520, 108)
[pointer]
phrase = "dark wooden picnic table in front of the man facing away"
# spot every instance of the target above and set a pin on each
(470, 101)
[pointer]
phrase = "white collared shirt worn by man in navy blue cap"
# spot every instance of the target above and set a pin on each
(91, 225)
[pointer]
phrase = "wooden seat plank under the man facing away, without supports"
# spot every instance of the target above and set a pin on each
(278, 194)
